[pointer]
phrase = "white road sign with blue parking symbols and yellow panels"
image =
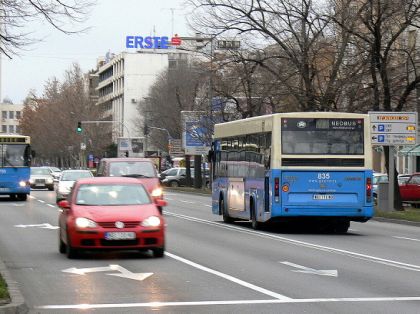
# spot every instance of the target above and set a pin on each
(393, 128)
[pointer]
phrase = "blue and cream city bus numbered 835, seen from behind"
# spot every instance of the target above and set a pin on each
(279, 167)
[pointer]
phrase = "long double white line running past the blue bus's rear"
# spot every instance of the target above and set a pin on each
(366, 257)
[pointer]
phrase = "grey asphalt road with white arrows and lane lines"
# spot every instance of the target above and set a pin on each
(212, 267)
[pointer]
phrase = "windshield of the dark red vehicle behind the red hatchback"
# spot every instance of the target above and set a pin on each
(133, 168)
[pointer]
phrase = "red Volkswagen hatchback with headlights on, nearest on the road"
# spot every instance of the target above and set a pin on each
(110, 213)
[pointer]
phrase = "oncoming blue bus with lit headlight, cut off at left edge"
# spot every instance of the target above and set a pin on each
(15, 159)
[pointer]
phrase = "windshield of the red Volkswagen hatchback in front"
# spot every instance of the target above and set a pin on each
(111, 195)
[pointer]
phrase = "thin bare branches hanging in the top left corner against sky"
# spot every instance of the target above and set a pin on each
(15, 15)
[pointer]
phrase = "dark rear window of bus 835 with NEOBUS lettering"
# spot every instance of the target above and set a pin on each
(322, 136)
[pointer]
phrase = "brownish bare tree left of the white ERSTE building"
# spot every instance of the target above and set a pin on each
(56, 114)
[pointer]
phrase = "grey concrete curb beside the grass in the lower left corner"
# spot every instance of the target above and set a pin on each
(17, 303)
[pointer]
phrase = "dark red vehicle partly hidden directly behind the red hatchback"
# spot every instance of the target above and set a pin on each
(142, 169)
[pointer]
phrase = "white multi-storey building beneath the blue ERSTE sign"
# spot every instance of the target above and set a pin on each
(124, 82)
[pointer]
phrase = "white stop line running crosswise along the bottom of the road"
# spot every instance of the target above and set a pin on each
(233, 302)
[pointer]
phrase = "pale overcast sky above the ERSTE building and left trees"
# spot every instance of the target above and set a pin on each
(110, 22)
